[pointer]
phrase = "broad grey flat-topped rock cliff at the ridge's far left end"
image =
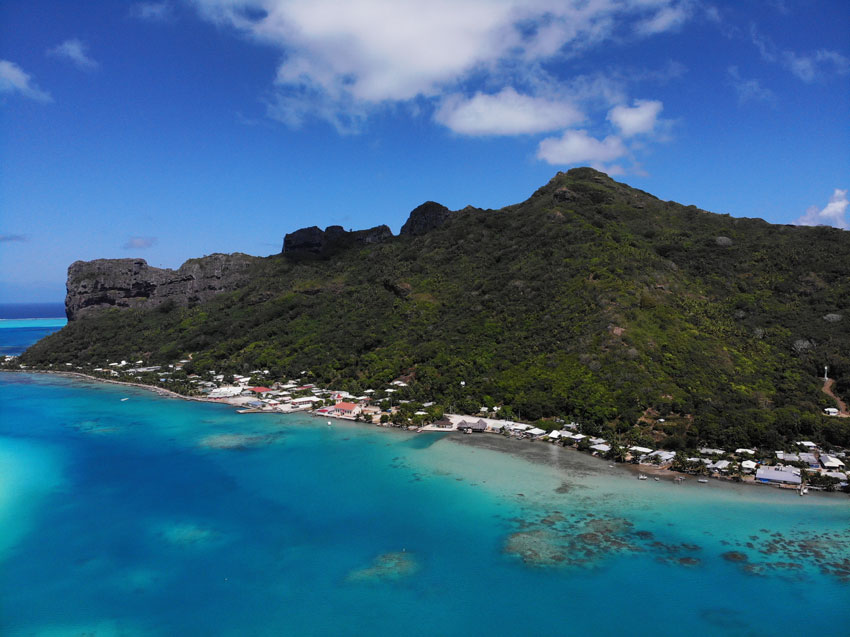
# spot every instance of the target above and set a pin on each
(101, 284)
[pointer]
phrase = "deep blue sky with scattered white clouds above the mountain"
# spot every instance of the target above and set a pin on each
(167, 130)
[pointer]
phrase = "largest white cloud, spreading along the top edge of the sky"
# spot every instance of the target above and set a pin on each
(371, 52)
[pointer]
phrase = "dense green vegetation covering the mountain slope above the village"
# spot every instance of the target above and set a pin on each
(591, 301)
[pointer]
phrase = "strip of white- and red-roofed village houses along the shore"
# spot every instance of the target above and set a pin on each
(805, 466)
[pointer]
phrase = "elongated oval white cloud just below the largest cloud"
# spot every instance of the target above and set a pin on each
(505, 113)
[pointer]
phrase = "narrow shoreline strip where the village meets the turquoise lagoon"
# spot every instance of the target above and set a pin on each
(528, 451)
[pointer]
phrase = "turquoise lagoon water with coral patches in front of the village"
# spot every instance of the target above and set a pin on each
(154, 516)
